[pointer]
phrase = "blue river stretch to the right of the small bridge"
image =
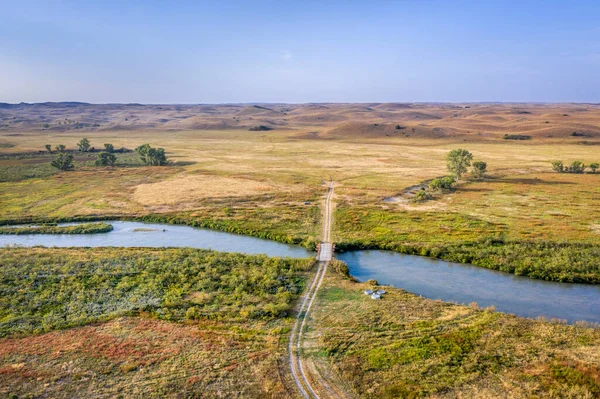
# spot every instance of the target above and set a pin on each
(462, 283)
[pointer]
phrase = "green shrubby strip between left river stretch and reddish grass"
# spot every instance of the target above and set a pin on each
(45, 289)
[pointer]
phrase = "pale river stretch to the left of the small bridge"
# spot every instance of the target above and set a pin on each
(152, 235)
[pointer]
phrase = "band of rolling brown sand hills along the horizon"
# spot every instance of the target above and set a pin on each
(570, 122)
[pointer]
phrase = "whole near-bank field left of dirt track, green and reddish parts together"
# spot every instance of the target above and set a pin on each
(141, 322)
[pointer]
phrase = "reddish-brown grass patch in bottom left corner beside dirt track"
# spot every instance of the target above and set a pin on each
(140, 357)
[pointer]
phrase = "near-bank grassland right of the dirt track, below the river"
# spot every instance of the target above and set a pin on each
(407, 346)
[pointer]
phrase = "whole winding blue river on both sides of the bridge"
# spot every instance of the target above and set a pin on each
(435, 279)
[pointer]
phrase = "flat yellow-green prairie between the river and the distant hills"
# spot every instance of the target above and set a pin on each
(250, 181)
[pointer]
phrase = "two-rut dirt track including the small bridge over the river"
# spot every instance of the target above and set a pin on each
(306, 386)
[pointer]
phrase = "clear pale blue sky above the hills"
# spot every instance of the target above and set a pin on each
(288, 51)
